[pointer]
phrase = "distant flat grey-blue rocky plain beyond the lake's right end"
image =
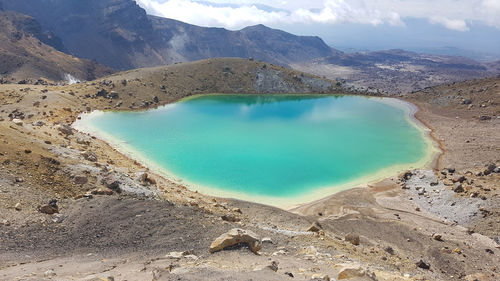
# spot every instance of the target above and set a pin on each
(395, 72)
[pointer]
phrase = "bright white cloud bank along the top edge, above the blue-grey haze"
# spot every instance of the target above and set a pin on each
(452, 14)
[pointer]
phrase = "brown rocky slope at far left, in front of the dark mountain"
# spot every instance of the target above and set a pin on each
(30, 55)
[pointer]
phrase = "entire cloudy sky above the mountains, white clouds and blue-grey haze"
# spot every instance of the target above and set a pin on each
(458, 20)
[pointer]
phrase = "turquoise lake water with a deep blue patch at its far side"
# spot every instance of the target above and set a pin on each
(279, 146)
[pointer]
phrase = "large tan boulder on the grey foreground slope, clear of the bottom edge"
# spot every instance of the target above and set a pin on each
(234, 237)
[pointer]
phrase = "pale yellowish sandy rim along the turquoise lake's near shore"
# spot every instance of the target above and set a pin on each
(84, 124)
